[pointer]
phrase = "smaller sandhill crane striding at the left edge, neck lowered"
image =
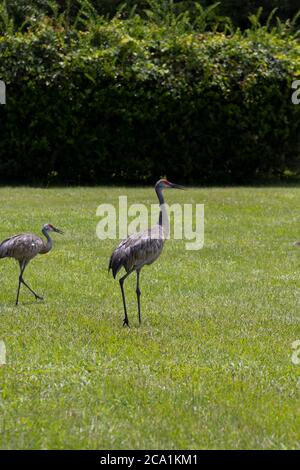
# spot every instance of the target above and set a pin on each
(24, 248)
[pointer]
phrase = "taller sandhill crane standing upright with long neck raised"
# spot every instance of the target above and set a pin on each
(141, 248)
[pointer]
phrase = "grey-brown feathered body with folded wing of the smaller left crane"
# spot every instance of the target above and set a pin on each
(25, 245)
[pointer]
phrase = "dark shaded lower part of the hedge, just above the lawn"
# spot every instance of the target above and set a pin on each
(137, 136)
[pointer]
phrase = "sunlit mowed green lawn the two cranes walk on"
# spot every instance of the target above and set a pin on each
(210, 367)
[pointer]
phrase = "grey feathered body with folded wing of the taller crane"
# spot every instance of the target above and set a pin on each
(136, 250)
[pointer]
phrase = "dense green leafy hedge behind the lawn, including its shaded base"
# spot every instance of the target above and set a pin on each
(130, 100)
